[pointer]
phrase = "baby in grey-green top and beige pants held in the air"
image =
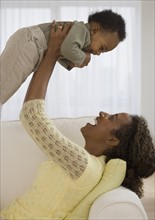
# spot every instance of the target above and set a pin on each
(26, 47)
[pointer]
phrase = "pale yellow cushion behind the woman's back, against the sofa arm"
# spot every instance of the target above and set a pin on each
(112, 178)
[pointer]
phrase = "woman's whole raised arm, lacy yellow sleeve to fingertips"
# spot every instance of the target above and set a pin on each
(68, 155)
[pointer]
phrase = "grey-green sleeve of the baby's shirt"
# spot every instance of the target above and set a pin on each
(76, 40)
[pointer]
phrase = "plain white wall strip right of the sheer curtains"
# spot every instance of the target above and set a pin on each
(147, 61)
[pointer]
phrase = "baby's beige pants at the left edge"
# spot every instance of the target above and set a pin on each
(18, 60)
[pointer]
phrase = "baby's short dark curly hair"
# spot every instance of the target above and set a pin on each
(109, 21)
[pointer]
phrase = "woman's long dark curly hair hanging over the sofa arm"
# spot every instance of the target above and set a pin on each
(137, 149)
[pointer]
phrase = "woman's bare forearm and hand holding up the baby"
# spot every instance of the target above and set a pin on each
(40, 79)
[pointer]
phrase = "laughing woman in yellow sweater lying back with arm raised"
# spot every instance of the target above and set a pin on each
(72, 172)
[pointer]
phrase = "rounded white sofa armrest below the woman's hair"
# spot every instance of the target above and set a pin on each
(118, 204)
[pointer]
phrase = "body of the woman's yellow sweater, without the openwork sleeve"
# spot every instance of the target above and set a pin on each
(54, 194)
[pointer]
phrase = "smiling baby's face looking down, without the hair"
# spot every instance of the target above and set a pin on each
(102, 41)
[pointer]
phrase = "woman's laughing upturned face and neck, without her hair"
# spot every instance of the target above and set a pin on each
(99, 136)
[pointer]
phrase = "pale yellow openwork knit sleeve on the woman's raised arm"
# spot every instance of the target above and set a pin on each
(56, 146)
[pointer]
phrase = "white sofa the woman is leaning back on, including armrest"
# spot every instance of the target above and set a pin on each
(20, 158)
